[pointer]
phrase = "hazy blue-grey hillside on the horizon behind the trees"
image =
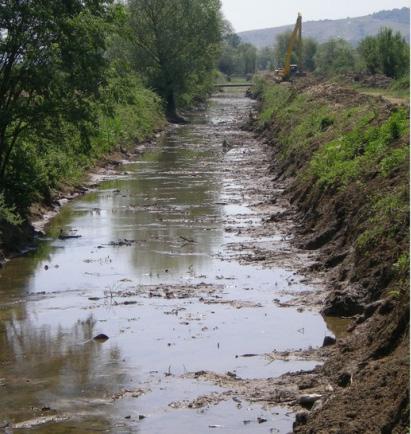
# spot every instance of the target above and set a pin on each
(350, 29)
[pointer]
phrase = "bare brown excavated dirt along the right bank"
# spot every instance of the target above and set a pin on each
(369, 369)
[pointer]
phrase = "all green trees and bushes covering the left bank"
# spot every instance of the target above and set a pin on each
(79, 78)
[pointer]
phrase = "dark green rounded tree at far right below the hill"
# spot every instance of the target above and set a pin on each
(386, 53)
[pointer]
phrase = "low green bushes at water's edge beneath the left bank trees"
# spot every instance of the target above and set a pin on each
(42, 161)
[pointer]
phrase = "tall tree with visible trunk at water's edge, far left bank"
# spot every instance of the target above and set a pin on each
(175, 44)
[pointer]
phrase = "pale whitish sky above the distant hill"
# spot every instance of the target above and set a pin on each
(259, 14)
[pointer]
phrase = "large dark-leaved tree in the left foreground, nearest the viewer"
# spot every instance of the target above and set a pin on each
(52, 67)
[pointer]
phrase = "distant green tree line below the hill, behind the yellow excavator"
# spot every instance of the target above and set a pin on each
(386, 53)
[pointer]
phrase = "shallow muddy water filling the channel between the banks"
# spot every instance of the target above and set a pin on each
(167, 266)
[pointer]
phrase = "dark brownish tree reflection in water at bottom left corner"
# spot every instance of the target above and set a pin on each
(53, 368)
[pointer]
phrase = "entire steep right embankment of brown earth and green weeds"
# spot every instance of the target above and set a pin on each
(345, 157)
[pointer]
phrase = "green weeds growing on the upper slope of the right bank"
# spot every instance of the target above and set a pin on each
(339, 147)
